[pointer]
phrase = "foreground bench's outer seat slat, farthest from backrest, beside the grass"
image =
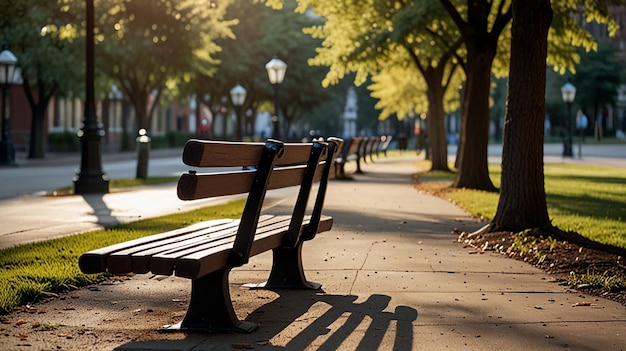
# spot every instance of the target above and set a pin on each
(95, 261)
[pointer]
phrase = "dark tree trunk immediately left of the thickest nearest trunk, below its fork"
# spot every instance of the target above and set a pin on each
(473, 172)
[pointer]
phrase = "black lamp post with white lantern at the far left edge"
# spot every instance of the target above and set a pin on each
(7, 73)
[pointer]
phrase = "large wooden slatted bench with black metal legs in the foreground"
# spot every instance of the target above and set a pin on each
(206, 252)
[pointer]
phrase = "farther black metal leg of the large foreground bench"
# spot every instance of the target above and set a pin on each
(287, 271)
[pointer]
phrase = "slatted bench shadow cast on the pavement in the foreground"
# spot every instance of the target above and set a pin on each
(296, 316)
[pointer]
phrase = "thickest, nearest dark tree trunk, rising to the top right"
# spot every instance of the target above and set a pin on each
(522, 203)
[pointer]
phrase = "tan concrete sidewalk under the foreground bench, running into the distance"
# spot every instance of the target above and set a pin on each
(393, 278)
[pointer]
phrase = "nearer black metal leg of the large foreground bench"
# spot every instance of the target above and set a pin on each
(210, 307)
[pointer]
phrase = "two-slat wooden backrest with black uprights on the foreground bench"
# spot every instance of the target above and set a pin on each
(260, 167)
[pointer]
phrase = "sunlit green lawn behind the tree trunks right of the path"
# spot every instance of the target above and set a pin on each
(589, 200)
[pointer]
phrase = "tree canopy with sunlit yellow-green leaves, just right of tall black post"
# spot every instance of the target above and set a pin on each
(170, 40)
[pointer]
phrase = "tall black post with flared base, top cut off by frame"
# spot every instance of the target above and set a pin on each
(91, 178)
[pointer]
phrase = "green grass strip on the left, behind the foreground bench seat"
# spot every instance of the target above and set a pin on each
(27, 271)
